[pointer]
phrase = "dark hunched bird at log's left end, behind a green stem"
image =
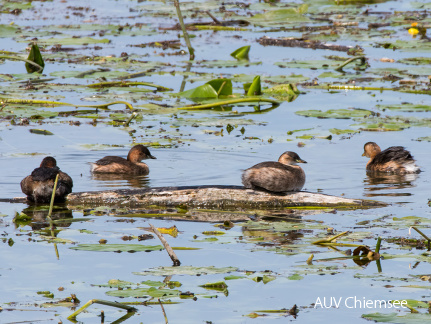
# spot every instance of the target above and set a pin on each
(38, 186)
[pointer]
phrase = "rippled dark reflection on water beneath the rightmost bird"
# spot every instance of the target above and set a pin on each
(377, 182)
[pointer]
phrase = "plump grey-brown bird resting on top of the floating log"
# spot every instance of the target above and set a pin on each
(280, 176)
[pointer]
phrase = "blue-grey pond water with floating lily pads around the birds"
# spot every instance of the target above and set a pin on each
(263, 263)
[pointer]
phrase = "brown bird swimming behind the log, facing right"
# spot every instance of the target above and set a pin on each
(132, 165)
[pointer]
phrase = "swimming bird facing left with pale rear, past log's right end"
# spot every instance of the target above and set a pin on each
(395, 159)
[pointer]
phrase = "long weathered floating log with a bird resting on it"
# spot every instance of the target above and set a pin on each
(212, 197)
